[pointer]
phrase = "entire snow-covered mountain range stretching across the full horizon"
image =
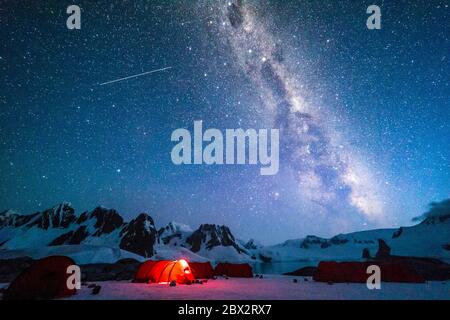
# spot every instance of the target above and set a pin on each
(103, 235)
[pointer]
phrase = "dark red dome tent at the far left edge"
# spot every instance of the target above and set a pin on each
(44, 279)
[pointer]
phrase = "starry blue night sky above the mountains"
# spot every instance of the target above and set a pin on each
(363, 114)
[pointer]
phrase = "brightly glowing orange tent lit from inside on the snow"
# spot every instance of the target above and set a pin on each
(164, 271)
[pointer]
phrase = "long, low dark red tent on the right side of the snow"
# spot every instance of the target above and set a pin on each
(331, 271)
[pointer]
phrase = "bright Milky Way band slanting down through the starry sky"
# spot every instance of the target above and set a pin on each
(325, 171)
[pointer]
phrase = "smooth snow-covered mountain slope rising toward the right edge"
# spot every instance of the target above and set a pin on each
(430, 238)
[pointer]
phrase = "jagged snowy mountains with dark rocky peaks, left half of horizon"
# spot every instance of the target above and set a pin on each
(59, 229)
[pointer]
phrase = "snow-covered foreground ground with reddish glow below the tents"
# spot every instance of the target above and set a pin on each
(268, 288)
